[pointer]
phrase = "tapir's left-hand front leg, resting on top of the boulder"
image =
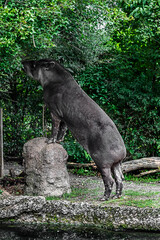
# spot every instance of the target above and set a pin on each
(55, 128)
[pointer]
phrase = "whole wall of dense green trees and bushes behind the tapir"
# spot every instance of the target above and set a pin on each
(113, 51)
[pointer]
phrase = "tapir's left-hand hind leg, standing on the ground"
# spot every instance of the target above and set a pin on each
(108, 182)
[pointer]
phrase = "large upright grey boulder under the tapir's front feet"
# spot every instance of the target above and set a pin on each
(45, 168)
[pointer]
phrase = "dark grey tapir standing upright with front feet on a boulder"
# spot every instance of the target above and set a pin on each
(71, 107)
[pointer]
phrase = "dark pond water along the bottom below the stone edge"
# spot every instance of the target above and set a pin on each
(55, 232)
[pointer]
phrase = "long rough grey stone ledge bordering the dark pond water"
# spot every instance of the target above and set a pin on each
(26, 209)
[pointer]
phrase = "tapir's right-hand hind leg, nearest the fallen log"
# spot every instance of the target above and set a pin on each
(118, 175)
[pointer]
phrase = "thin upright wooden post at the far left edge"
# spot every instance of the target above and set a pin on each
(1, 143)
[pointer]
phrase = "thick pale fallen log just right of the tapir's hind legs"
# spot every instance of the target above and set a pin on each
(143, 163)
